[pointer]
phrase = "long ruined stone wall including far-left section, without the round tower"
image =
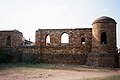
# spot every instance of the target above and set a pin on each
(73, 52)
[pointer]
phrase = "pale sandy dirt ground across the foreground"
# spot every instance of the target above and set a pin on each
(52, 74)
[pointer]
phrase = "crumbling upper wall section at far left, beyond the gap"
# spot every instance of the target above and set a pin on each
(12, 38)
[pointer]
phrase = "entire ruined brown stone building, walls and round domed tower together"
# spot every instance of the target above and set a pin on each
(94, 46)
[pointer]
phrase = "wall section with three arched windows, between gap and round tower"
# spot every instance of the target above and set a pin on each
(56, 52)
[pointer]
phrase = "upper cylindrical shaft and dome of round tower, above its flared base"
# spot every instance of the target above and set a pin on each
(104, 34)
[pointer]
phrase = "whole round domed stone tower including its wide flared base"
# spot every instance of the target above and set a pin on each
(103, 43)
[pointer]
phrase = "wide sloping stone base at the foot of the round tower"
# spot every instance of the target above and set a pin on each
(102, 59)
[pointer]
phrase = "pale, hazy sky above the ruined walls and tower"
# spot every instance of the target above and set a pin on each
(27, 16)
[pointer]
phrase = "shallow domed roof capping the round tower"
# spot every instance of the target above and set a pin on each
(104, 19)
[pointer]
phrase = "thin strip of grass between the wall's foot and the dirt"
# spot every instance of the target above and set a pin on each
(54, 66)
